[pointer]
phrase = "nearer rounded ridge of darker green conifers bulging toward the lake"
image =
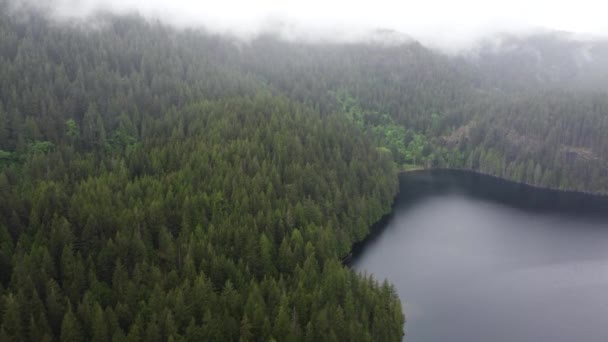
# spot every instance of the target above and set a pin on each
(189, 235)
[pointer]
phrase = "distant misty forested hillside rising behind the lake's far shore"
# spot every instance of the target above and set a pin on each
(517, 109)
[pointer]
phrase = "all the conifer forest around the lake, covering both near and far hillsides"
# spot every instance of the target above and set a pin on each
(162, 184)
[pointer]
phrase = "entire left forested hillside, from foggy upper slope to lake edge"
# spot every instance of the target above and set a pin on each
(148, 193)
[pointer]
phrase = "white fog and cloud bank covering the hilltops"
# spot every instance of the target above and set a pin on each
(442, 24)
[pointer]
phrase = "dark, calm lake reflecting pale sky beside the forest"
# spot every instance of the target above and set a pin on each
(476, 258)
